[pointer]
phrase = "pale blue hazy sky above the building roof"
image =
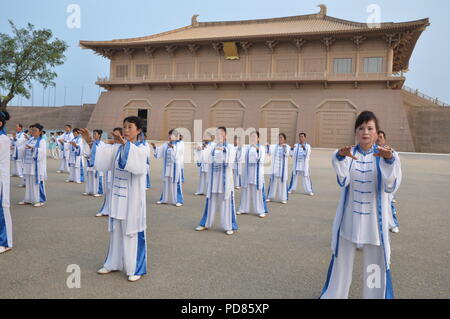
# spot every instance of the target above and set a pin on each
(112, 19)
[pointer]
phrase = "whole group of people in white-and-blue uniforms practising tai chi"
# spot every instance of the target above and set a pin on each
(367, 173)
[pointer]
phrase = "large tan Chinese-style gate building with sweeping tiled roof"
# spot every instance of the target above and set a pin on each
(311, 73)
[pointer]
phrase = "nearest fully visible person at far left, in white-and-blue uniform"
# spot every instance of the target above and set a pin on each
(35, 168)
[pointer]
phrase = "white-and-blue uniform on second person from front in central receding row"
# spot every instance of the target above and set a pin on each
(252, 178)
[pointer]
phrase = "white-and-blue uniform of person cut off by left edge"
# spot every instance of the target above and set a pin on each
(5, 214)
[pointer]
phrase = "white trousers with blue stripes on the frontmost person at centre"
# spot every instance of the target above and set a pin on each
(226, 208)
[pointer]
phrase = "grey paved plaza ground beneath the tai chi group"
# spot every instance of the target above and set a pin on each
(284, 255)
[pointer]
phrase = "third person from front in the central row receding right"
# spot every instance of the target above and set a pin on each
(278, 185)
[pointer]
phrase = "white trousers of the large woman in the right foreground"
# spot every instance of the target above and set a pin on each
(374, 278)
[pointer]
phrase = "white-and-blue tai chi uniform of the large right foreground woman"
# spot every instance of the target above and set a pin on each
(362, 221)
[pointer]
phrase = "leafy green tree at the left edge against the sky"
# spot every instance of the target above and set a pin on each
(28, 55)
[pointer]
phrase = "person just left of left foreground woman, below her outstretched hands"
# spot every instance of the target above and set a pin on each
(94, 178)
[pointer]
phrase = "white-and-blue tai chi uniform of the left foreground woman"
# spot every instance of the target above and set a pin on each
(127, 222)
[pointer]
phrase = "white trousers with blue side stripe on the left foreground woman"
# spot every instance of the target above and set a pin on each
(126, 253)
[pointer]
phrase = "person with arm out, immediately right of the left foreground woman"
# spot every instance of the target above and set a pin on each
(171, 154)
